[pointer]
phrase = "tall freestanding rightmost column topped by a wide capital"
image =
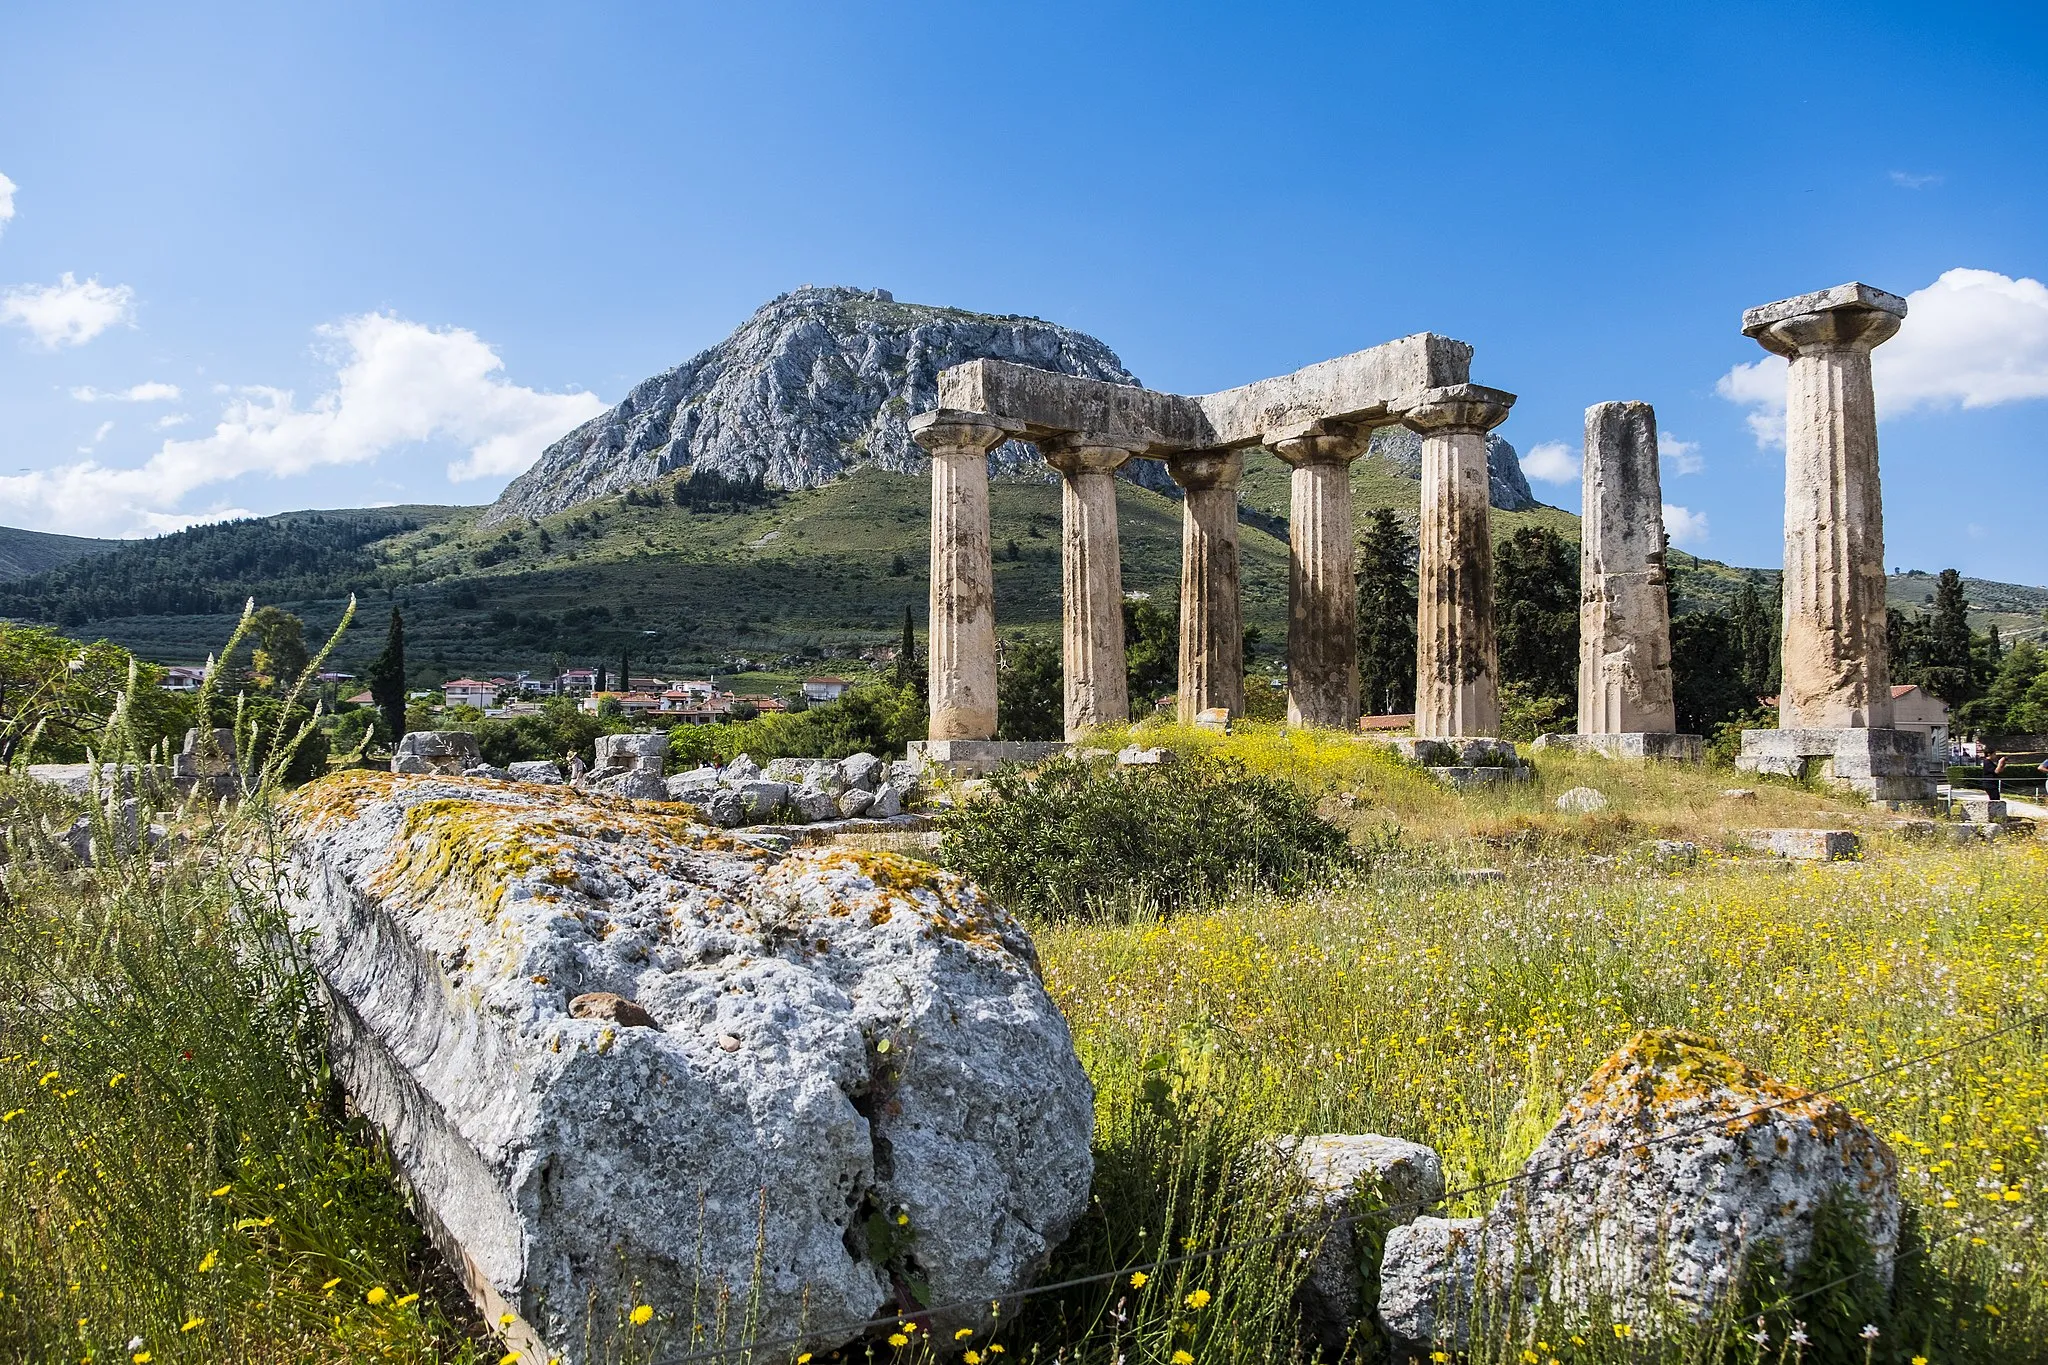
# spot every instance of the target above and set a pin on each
(1836, 670)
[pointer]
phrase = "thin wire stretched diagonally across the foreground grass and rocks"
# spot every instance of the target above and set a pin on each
(1414, 1206)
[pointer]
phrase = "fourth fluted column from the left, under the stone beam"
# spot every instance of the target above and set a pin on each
(1322, 586)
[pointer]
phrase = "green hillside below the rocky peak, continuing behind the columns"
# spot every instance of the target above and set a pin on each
(783, 580)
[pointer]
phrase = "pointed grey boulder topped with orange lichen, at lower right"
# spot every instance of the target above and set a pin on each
(1664, 1174)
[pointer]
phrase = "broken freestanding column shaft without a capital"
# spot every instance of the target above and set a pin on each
(1625, 615)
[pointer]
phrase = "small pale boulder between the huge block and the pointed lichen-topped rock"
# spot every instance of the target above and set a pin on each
(1371, 1184)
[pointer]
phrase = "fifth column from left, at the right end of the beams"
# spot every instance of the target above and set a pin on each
(1457, 662)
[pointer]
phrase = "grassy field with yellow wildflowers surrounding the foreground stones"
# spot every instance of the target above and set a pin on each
(181, 1184)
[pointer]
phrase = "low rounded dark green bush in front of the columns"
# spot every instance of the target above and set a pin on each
(1091, 838)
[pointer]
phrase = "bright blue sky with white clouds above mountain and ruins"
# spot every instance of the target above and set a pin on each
(376, 245)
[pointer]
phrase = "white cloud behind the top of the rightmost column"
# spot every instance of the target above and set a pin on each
(1973, 339)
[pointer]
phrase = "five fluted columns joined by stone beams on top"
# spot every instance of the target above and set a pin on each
(1318, 421)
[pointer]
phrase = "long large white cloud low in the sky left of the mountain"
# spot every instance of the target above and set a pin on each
(396, 384)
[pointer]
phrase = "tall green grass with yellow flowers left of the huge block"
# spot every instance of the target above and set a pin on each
(179, 1180)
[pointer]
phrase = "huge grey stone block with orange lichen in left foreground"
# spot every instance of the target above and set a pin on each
(859, 1037)
